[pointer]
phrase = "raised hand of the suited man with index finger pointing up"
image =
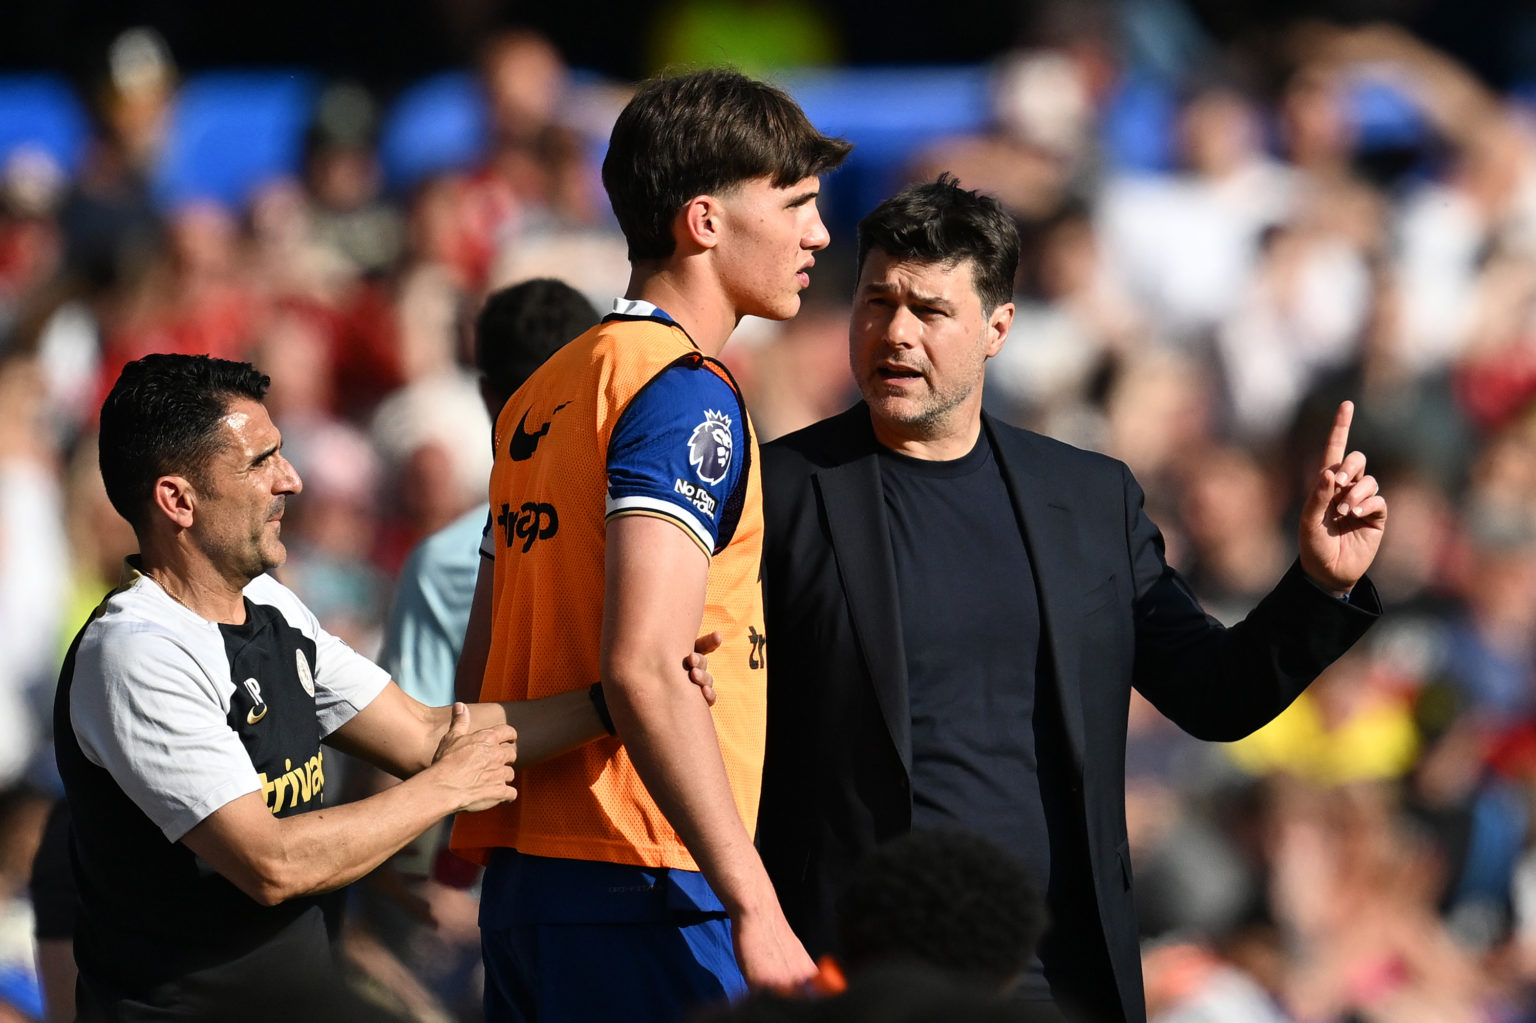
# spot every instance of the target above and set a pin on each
(1343, 517)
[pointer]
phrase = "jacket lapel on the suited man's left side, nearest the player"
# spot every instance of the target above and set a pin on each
(855, 506)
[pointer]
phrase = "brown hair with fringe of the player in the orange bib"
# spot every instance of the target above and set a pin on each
(704, 133)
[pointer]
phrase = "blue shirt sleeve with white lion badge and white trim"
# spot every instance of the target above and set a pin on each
(678, 454)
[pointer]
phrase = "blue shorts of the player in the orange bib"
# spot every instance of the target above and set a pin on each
(584, 941)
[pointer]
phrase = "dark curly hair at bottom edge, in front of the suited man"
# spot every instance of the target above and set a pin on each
(948, 899)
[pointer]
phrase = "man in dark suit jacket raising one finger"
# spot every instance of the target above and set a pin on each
(959, 611)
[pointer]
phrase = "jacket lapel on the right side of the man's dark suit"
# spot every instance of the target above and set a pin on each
(1053, 545)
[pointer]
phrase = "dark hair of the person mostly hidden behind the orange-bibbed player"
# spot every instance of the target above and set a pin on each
(521, 326)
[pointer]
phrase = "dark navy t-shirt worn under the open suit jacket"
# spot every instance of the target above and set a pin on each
(972, 637)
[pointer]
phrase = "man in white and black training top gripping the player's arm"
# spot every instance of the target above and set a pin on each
(191, 717)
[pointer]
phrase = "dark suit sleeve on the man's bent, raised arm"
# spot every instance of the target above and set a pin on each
(1222, 684)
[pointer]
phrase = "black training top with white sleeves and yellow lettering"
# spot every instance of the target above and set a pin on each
(161, 720)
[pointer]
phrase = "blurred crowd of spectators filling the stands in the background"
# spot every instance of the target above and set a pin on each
(1216, 256)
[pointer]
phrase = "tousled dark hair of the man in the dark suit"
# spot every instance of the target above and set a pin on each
(945, 223)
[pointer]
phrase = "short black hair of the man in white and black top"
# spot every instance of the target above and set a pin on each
(162, 417)
